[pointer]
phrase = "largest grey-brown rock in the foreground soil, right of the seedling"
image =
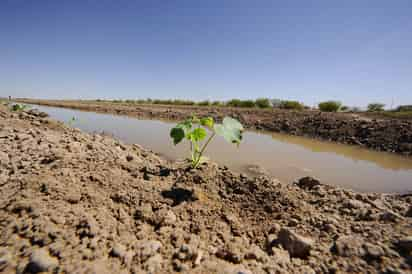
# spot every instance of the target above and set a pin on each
(297, 245)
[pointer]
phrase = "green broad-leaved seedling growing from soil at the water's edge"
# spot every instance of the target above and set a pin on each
(194, 130)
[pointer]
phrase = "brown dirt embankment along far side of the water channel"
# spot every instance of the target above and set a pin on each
(393, 135)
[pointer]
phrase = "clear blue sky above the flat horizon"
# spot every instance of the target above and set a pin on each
(356, 51)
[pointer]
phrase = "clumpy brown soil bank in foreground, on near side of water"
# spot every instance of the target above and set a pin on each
(71, 202)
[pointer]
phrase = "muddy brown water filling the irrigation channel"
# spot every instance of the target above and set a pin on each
(283, 156)
